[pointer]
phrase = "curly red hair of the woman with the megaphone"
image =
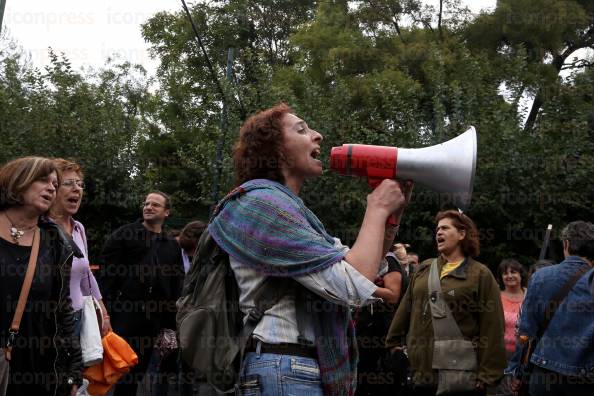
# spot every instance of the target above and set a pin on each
(258, 152)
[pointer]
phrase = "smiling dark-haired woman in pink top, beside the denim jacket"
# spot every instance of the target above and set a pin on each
(512, 279)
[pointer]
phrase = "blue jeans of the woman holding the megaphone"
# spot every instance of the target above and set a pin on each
(269, 374)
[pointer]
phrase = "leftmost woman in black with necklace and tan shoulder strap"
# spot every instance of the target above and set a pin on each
(44, 351)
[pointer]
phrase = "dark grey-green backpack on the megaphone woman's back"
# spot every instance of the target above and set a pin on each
(212, 335)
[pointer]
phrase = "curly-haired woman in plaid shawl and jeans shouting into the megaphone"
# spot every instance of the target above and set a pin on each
(303, 344)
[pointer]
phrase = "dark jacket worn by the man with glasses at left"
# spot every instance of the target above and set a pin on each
(141, 277)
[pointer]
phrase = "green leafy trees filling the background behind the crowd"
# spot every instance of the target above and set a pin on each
(385, 72)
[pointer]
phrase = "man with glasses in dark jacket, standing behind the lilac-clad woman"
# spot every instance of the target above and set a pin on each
(142, 277)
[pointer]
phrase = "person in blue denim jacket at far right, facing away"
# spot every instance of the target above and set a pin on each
(564, 357)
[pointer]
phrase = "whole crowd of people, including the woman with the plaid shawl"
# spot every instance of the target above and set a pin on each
(385, 323)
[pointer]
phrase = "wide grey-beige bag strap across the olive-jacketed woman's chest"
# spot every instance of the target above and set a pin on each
(444, 324)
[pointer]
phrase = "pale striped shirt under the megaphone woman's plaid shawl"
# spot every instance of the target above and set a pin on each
(339, 283)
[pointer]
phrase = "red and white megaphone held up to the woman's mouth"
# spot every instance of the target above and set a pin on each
(447, 168)
